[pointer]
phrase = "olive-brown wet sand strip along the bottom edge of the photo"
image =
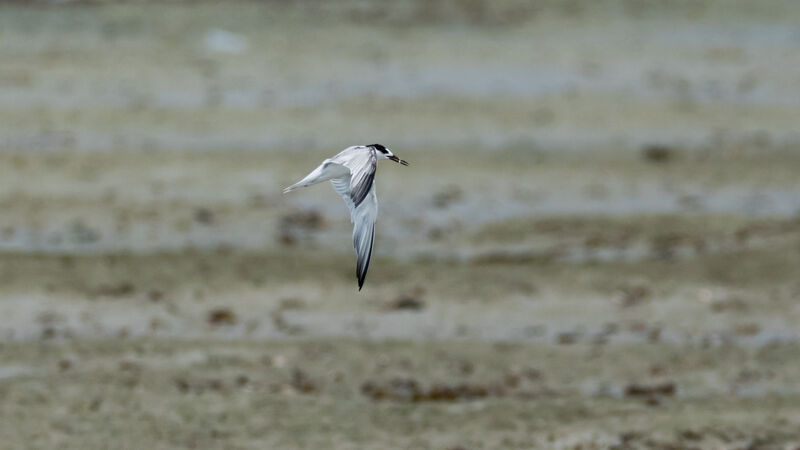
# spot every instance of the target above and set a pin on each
(339, 393)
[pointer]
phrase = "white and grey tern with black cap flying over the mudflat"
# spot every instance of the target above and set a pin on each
(352, 174)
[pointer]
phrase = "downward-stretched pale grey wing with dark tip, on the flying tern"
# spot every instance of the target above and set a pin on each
(358, 191)
